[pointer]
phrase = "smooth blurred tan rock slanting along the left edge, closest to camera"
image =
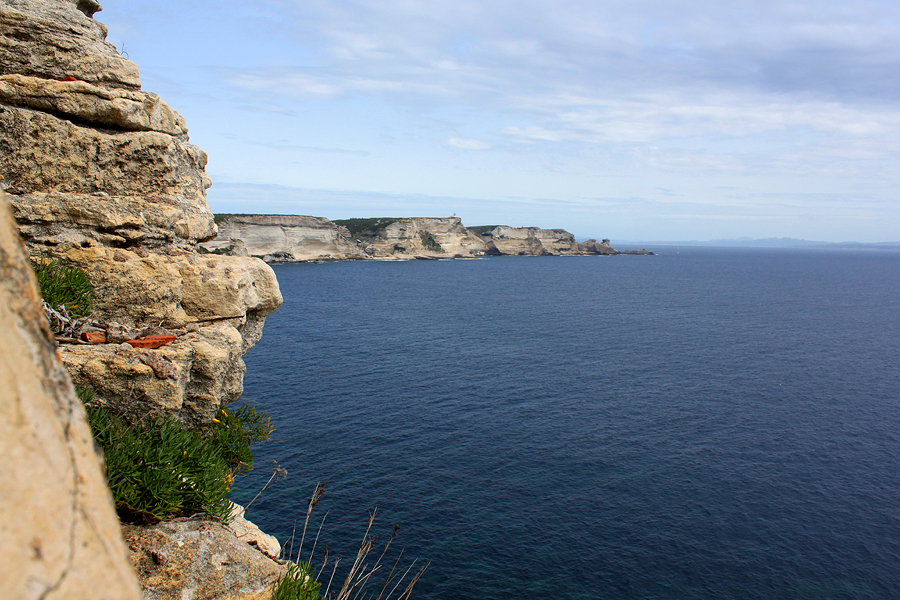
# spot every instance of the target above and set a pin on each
(59, 535)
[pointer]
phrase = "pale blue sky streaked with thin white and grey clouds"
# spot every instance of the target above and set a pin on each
(628, 120)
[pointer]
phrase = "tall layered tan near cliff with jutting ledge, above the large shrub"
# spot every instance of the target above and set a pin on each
(101, 175)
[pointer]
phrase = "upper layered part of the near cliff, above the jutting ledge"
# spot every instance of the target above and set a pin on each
(88, 156)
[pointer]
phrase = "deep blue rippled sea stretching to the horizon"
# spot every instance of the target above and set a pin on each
(700, 424)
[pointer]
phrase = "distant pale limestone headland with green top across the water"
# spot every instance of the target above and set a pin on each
(293, 238)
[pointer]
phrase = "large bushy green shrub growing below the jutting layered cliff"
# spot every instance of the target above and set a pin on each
(158, 469)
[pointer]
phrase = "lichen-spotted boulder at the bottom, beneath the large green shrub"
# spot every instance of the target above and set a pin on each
(201, 560)
